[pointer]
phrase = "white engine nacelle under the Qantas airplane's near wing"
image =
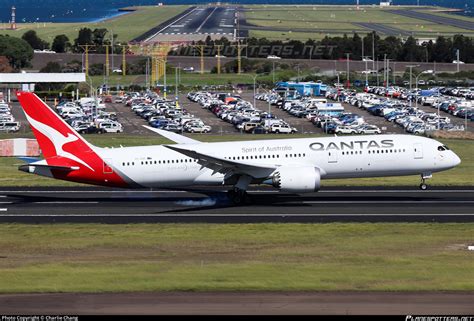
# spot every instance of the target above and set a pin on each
(297, 179)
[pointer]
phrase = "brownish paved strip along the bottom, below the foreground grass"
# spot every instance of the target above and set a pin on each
(242, 303)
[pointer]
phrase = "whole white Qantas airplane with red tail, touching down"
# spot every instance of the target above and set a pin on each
(290, 165)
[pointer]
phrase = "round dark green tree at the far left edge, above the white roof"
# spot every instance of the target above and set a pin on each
(18, 51)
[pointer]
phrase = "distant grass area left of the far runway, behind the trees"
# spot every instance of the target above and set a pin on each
(127, 26)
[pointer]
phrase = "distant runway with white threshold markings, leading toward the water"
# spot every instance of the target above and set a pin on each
(201, 21)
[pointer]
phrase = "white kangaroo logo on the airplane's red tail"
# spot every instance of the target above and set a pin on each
(58, 140)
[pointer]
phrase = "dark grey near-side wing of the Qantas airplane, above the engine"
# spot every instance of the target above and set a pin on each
(226, 166)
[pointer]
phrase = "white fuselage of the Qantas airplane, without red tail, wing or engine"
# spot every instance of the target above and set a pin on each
(334, 157)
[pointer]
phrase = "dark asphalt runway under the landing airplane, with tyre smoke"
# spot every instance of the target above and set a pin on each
(83, 205)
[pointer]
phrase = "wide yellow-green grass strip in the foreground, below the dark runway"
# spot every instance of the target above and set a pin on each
(232, 257)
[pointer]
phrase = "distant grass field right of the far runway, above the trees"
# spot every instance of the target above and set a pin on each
(344, 18)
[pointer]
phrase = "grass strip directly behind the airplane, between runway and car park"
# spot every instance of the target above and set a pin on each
(463, 175)
